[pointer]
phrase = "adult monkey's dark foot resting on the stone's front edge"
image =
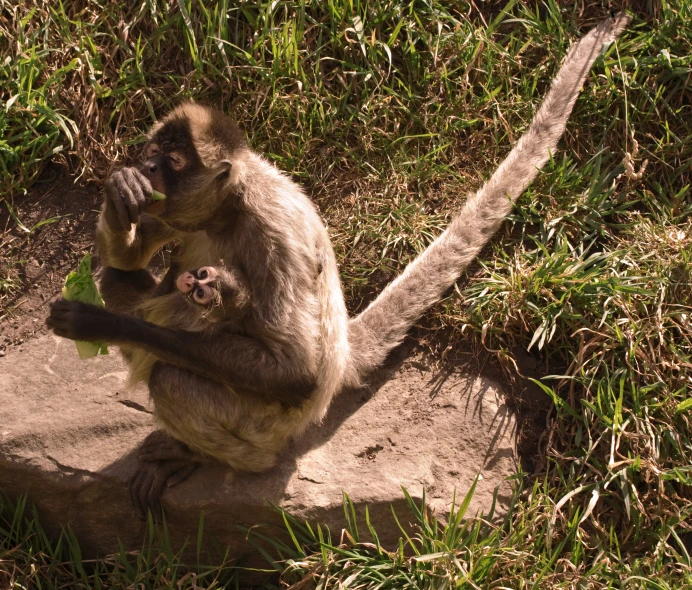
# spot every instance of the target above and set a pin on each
(164, 462)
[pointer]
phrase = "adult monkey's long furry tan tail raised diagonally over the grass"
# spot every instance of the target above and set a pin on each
(384, 324)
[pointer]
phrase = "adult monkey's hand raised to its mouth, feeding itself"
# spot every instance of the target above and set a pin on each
(127, 193)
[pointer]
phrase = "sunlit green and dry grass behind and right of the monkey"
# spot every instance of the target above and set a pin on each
(389, 112)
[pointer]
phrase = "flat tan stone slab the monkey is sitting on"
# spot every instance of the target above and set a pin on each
(69, 431)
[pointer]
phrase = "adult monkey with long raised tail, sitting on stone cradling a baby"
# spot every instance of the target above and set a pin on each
(239, 395)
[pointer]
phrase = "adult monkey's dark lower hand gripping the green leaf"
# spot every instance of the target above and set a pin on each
(82, 321)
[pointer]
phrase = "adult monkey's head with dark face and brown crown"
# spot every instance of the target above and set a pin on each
(189, 157)
